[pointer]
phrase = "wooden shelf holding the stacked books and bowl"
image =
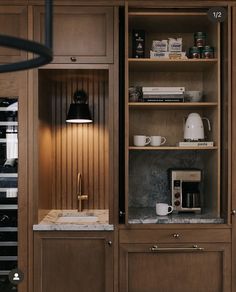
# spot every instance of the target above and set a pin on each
(171, 105)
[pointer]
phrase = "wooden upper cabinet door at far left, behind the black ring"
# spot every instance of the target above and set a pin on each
(13, 22)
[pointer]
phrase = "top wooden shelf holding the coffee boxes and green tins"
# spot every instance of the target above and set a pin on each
(147, 64)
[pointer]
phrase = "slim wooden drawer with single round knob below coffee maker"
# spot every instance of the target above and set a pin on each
(174, 235)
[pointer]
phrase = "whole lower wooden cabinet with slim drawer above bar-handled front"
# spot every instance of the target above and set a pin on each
(175, 259)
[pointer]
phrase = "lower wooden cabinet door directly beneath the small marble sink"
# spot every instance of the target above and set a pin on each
(69, 263)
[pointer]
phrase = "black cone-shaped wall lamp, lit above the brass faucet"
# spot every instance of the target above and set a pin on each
(79, 110)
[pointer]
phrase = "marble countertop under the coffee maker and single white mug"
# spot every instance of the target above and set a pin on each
(148, 216)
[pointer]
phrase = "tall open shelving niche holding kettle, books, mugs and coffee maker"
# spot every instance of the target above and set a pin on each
(147, 180)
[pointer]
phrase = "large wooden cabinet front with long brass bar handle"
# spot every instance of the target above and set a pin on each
(179, 268)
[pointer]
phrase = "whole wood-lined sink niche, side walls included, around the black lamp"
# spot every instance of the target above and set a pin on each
(66, 149)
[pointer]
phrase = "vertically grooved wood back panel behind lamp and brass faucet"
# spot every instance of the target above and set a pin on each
(79, 148)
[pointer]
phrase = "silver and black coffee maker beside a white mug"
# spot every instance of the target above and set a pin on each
(185, 190)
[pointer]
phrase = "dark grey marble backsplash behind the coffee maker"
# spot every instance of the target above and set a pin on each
(148, 179)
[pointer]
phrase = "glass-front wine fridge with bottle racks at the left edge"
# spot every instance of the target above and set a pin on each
(8, 190)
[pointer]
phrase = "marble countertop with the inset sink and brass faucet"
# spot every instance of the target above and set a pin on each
(50, 221)
